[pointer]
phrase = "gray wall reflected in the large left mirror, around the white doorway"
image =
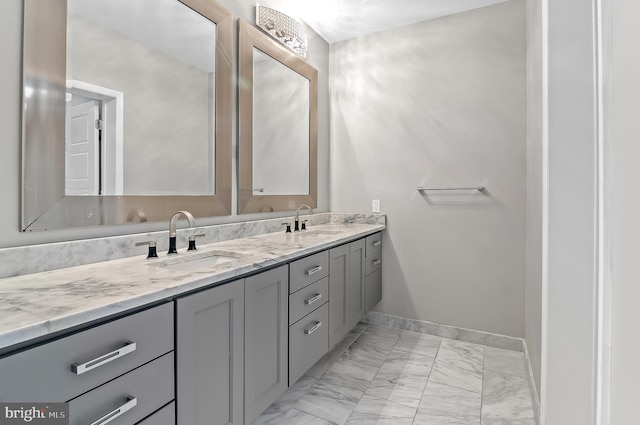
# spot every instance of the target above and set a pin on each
(168, 109)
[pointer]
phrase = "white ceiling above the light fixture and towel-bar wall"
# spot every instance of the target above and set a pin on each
(338, 20)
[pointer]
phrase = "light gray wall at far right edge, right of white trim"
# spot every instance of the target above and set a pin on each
(625, 133)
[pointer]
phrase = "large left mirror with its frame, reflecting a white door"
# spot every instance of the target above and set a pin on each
(126, 111)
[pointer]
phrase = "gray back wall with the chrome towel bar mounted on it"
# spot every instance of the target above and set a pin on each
(440, 103)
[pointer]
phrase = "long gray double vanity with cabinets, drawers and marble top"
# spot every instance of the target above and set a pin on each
(206, 337)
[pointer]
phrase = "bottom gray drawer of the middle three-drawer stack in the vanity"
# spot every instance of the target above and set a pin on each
(308, 342)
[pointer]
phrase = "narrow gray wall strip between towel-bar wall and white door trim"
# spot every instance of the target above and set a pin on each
(533, 260)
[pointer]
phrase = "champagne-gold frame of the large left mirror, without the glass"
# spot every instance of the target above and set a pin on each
(43, 131)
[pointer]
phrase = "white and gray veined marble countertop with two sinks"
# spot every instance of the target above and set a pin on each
(40, 304)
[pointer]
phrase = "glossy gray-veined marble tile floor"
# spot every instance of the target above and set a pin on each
(384, 376)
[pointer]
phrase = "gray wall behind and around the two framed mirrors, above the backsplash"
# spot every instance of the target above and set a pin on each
(10, 89)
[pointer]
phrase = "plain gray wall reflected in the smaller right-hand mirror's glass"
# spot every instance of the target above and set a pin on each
(280, 128)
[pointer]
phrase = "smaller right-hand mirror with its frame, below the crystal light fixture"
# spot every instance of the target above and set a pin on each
(278, 125)
